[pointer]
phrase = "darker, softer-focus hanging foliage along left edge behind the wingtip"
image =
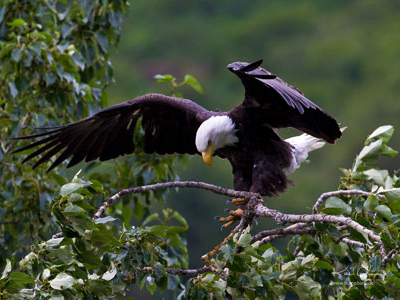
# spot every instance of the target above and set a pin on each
(54, 68)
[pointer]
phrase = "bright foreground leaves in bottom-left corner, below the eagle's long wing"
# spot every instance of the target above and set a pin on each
(97, 258)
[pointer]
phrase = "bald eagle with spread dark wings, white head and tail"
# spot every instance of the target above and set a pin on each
(246, 135)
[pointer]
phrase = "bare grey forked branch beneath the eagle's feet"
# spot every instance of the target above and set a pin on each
(255, 208)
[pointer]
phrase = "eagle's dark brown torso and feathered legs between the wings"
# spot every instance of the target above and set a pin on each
(259, 159)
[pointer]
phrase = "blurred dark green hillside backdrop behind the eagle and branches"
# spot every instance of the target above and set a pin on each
(343, 55)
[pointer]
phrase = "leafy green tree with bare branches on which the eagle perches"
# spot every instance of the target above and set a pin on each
(59, 240)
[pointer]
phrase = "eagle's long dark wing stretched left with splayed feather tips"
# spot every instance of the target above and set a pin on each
(169, 124)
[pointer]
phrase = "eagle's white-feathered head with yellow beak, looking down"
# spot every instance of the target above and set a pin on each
(213, 134)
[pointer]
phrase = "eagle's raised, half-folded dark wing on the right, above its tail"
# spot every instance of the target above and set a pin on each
(279, 104)
